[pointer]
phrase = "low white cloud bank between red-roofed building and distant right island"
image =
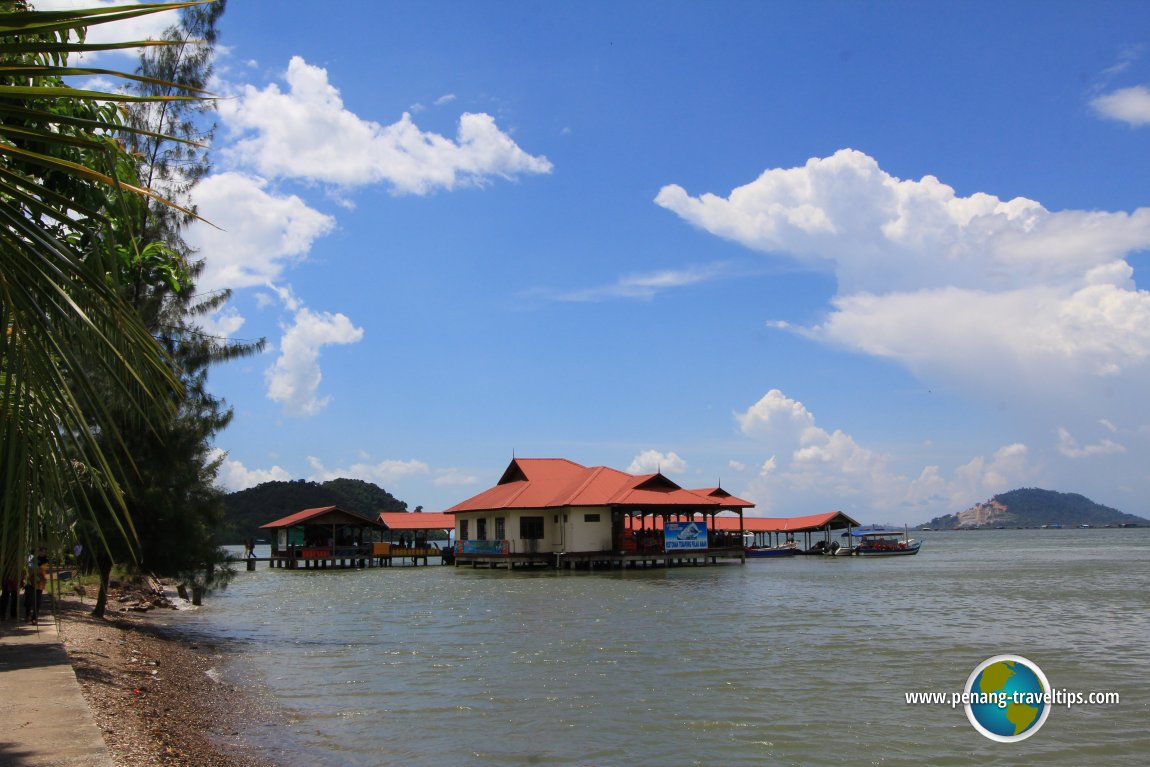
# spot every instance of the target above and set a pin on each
(811, 469)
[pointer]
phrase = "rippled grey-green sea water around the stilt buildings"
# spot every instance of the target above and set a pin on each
(806, 661)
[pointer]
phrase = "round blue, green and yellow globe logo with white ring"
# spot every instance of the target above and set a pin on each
(1008, 699)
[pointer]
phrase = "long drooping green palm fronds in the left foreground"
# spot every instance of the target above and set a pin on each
(73, 350)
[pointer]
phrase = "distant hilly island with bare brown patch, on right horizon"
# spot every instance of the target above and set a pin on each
(1032, 508)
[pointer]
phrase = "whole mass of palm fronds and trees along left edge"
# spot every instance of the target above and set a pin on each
(105, 420)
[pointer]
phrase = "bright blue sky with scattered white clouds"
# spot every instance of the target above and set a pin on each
(886, 258)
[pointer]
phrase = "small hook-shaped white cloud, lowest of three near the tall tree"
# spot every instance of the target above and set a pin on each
(294, 380)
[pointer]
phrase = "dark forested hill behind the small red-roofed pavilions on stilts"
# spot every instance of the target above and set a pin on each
(248, 510)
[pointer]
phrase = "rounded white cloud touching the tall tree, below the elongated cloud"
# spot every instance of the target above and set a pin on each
(257, 234)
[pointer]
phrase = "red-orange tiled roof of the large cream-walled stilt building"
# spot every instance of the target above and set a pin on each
(556, 482)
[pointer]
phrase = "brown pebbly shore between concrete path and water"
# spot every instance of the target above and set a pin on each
(159, 700)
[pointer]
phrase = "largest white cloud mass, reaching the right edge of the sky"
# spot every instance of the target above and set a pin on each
(1002, 295)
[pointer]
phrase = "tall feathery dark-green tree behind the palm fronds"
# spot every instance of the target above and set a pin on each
(173, 497)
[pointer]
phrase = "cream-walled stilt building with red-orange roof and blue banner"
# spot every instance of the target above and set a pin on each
(559, 513)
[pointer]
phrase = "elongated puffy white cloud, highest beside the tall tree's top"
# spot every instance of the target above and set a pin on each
(306, 133)
